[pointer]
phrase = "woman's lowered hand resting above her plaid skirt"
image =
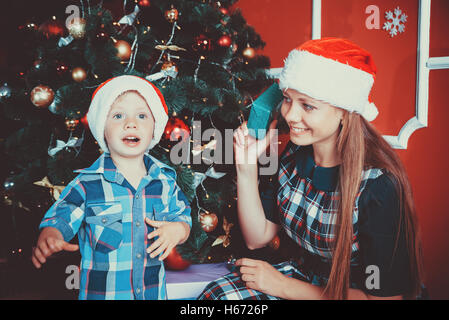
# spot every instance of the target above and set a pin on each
(261, 276)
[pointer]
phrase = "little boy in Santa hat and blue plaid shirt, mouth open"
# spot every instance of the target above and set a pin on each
(109, 203)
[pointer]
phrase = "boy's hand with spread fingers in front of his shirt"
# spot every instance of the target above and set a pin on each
(170, 234)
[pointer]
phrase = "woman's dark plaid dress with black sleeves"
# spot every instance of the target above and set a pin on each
(303, 202)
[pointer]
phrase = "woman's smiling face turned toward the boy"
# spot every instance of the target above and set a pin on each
(310, 121)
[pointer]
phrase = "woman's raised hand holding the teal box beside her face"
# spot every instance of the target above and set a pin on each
(247, 149)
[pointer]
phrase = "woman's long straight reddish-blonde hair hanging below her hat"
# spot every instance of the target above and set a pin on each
(361, 147)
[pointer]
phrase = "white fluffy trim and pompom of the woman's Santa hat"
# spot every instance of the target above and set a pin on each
(328, 80)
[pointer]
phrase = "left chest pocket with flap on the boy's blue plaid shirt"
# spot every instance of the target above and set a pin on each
(105, 222)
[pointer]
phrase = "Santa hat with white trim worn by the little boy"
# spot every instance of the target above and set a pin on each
(105, 95)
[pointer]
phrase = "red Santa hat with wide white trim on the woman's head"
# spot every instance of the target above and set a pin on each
(333, 70)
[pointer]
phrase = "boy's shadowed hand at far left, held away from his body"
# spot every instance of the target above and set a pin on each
(50, 241)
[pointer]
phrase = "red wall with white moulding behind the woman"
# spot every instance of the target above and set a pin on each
(284, 24)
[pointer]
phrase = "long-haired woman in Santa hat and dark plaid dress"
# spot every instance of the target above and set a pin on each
(341, 192)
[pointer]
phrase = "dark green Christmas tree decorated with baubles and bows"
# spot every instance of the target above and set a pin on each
(202, 55)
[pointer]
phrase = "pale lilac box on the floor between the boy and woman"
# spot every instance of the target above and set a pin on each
(189, 283)
